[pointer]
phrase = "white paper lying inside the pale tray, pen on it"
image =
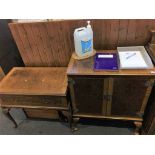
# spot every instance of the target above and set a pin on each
(132, 59)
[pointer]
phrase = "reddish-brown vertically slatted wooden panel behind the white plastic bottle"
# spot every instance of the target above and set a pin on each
(51, 43)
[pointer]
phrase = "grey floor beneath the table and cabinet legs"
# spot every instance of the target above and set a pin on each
(49, 127)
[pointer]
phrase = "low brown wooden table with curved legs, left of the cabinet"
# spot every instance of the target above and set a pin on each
(35, 88)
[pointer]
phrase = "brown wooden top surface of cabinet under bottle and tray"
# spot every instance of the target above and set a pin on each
(85, 67)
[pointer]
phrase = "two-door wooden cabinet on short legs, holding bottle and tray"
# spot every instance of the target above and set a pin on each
(118, 95)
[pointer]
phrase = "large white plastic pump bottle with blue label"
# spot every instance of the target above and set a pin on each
(83, 41)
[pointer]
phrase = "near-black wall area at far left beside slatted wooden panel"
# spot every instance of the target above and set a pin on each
(9, 54)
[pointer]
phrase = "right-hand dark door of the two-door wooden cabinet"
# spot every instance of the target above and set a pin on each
(130, 96)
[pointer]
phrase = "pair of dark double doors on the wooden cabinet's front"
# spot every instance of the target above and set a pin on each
(124, 96)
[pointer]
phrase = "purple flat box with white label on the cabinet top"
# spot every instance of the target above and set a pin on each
(106, 61)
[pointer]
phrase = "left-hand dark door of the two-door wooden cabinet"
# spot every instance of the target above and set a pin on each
(88, 94)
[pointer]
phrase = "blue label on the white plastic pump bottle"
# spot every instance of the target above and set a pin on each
(86, 46)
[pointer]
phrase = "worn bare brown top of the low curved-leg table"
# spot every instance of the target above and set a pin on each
(35, 81)
